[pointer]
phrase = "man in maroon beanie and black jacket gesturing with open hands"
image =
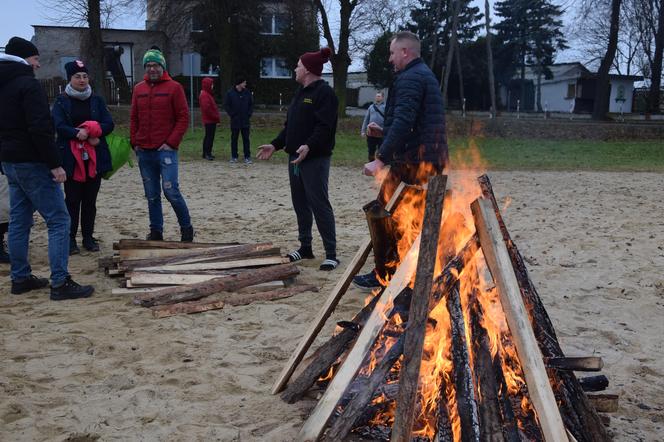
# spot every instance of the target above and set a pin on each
(308, 137)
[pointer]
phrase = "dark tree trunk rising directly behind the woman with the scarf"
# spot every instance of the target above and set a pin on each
(93, 48)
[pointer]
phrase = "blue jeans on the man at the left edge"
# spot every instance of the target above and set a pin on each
(31, 187)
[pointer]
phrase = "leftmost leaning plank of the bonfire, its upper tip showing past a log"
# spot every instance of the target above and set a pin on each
(330, 304)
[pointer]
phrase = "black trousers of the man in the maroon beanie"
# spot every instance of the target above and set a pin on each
(309, 192)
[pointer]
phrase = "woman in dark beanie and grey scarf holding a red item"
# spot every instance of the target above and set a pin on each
(82, 121)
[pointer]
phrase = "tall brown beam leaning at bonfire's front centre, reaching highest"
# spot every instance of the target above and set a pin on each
(419, 311)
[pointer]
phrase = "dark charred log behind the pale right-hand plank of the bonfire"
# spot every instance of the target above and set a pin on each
(579, 415)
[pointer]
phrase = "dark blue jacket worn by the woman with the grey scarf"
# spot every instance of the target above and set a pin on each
(66, 131)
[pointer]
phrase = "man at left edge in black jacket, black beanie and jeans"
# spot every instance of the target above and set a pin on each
(31, 161)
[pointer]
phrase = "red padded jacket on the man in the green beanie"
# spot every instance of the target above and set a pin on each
(159, 113)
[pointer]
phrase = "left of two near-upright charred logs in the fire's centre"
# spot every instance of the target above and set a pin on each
(465, 393)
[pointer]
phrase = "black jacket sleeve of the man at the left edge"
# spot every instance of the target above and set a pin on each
(40, 124)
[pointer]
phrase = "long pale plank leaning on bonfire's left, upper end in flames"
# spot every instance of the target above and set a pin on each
(314, 426)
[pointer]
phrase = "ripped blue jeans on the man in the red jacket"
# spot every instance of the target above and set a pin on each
(159, 170)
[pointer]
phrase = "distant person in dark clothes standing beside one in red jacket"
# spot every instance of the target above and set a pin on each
(239, 105)
